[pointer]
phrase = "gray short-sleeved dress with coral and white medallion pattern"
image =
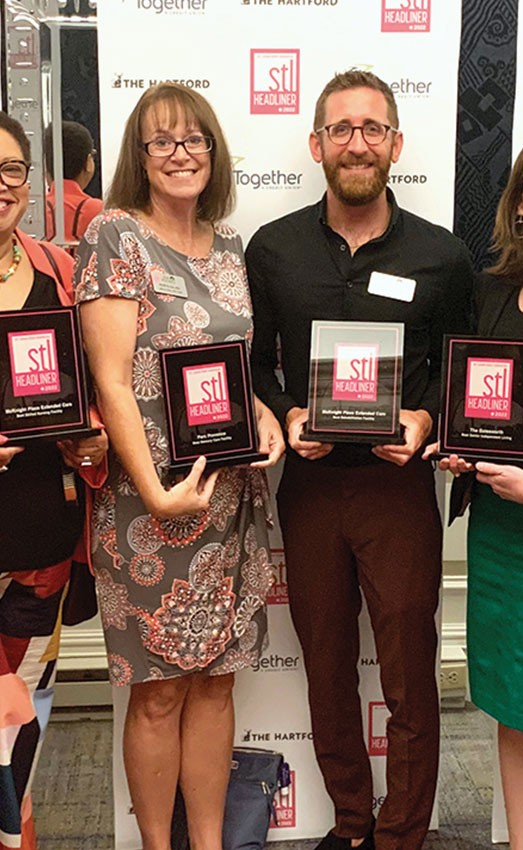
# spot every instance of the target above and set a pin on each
(185, 594)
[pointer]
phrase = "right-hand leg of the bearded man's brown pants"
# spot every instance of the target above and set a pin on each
(395, 532)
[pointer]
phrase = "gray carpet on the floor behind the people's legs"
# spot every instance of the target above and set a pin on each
(72, 790)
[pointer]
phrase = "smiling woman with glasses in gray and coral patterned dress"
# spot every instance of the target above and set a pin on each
(182, 571)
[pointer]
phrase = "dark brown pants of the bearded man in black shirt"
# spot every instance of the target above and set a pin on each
(374, 528)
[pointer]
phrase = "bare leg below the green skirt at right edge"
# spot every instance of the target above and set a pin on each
(510, 743)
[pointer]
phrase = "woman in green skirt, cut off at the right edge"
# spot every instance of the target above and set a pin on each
(495, 531)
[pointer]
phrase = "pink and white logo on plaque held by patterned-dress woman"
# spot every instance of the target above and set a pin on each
(206, 394)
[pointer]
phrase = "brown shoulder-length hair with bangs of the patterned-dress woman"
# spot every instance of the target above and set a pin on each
(129, 189)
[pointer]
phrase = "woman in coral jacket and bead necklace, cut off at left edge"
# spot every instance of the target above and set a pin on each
(39, 529)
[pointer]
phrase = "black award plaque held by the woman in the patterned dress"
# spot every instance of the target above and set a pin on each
(209, 404)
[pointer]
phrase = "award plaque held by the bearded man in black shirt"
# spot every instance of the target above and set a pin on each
(355, 382)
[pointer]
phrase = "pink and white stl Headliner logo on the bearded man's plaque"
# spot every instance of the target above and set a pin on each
(355, 375)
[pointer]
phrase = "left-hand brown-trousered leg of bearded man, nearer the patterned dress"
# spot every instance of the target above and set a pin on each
(325, 602)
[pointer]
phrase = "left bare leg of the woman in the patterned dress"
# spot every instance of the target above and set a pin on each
(152, 755)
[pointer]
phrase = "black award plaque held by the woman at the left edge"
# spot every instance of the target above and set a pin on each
(42, 375)
